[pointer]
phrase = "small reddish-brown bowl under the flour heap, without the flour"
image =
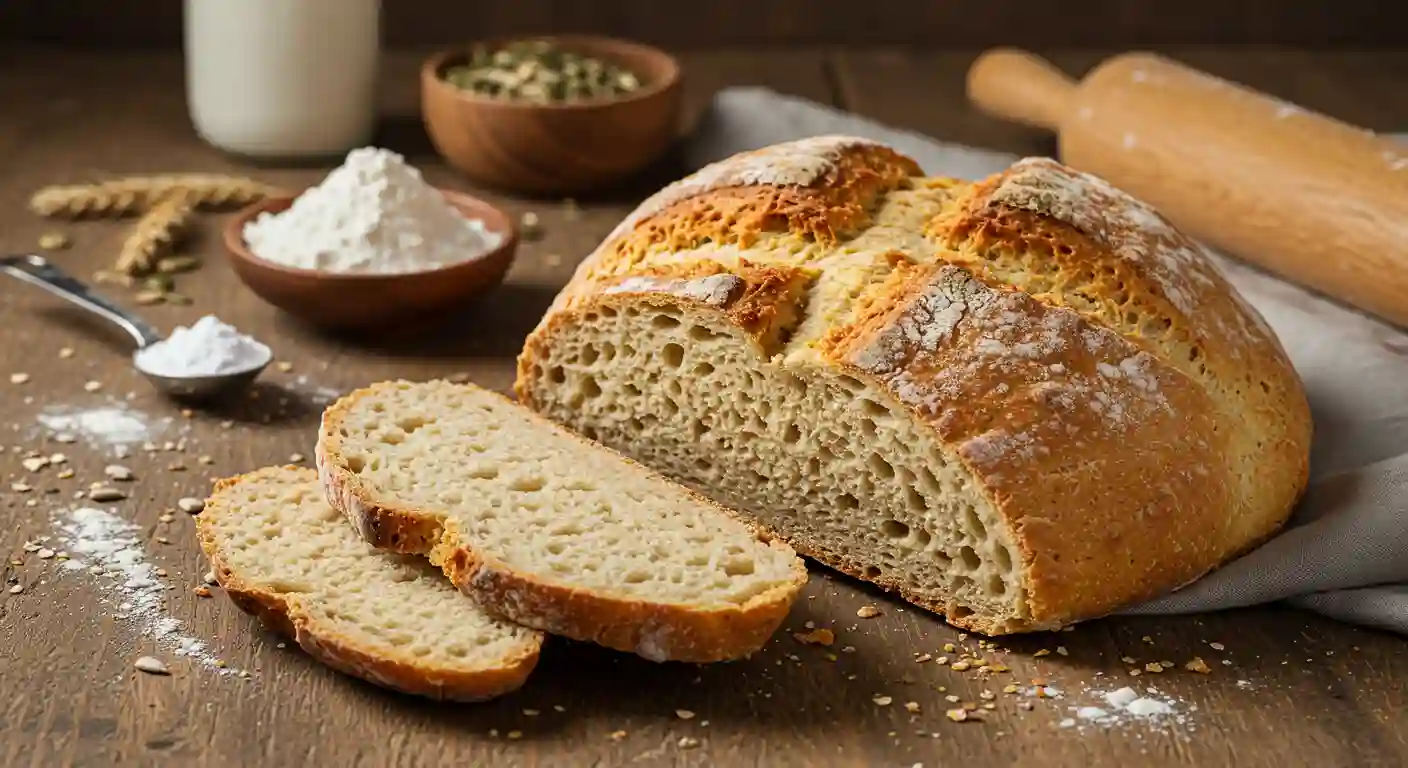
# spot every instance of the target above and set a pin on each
(368, 302)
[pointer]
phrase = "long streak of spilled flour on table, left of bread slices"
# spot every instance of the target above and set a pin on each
(111, 549)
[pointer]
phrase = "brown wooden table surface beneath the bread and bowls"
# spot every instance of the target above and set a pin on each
(1286, 688)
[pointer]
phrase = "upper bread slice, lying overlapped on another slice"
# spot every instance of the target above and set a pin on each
(550, 531)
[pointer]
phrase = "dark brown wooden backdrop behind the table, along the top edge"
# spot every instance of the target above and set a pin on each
(1109, 23)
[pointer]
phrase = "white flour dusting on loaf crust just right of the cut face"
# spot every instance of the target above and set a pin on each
(958, 332)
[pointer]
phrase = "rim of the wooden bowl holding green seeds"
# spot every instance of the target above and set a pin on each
(670, 71)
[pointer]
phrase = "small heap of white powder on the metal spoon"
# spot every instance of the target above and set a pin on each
(206, 349)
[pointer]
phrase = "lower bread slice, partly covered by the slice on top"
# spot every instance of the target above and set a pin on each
(285, 556)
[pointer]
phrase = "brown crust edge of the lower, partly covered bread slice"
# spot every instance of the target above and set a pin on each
(291, 615)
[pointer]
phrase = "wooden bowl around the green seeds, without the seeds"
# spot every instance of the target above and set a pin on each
(555, 149)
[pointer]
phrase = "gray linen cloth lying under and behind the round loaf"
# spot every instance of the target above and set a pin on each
(1345, 552)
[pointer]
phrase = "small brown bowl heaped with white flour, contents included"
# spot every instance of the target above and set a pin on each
(372, 249)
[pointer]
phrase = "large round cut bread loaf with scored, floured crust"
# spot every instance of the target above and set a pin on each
(1022, 402)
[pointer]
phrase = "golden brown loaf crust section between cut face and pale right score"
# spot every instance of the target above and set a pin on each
(1050, 414)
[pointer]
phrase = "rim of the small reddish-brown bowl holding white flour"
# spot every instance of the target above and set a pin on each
(237, 247)
